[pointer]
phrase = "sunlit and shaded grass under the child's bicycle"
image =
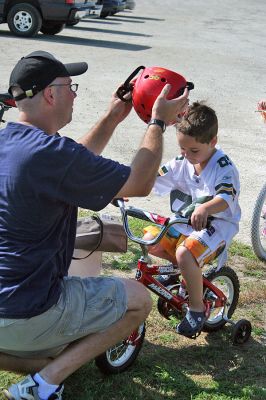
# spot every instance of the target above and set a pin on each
(176, 368)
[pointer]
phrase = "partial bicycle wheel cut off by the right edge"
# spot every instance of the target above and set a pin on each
(258, 225)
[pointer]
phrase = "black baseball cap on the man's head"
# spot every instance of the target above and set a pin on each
(37, 70)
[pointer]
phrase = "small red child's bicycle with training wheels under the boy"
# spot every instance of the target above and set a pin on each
(221, 293)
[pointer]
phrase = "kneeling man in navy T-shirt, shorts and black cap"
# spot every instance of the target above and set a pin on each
(50, 322)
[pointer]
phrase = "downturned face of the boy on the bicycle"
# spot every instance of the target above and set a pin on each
(195, 152)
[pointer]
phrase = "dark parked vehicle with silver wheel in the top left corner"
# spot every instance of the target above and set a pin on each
(27, 18)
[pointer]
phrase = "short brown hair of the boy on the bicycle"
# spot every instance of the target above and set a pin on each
(200, 122)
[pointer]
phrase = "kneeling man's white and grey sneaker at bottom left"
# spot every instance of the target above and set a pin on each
(27, 389)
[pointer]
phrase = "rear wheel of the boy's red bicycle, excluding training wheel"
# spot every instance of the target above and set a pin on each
(227, 281)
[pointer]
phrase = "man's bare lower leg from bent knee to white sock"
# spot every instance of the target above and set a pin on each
(87, 348)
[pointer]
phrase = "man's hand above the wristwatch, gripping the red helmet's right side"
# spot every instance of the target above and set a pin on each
(168, 110)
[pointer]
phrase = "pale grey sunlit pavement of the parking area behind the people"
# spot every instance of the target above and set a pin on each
(220, 46)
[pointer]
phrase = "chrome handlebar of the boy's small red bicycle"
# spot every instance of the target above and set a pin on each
(164, 222)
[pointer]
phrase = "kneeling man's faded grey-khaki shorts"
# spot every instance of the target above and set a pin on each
(85, 306)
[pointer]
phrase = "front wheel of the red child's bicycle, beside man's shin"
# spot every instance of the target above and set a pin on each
(121, 356)
